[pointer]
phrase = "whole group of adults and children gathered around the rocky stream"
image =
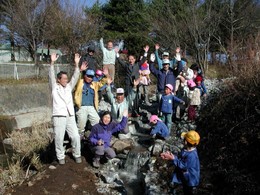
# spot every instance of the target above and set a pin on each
(76, 102)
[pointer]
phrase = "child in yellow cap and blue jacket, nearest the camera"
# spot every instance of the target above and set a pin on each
(187, 166)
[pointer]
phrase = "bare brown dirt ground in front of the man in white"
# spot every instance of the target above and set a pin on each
(69, 179)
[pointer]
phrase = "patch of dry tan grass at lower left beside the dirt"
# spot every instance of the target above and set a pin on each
(26, 146)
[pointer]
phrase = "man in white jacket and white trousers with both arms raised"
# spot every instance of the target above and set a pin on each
(63, 109)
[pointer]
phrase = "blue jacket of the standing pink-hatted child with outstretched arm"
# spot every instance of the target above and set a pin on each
(167, 103)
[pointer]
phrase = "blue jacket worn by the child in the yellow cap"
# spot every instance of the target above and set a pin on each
(187, 168)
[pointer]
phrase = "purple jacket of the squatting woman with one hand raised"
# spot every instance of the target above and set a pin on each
(104, 132)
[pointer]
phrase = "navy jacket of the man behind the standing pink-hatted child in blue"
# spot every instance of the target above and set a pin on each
(163, 77)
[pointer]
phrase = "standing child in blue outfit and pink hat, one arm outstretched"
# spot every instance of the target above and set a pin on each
(167, 105)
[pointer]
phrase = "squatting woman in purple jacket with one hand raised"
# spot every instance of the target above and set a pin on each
(101, 134)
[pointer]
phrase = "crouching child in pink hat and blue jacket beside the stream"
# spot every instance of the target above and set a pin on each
(159, 129)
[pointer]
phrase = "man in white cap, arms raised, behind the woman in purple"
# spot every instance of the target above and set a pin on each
(120, 103)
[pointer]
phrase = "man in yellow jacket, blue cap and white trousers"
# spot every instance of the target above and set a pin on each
(86, 99)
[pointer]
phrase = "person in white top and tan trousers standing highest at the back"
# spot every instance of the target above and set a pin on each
(109, 57)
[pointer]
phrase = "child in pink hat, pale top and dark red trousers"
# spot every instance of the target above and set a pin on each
(194, 100)
